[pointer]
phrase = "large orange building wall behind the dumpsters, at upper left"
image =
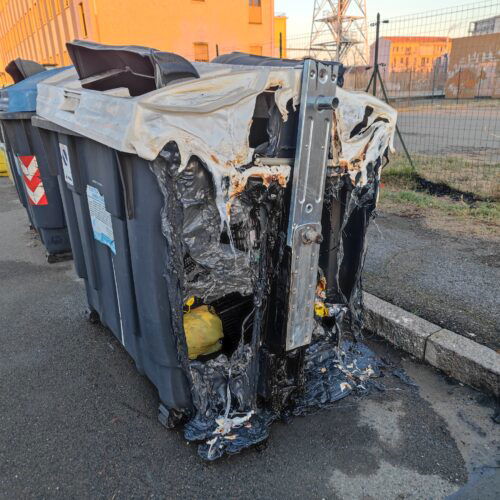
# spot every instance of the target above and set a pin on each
(39, 29)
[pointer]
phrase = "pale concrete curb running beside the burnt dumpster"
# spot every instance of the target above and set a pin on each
(457, 356)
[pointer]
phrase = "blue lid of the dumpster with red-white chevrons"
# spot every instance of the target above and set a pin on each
(21, 97)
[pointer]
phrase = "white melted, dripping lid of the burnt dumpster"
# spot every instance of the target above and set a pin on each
(210, 117)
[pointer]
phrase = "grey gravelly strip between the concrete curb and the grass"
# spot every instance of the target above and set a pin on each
(449, 280)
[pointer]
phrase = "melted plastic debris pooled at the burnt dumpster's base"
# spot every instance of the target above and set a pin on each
(330, 374)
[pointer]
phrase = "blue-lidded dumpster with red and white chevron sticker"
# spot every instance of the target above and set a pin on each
(34, 174)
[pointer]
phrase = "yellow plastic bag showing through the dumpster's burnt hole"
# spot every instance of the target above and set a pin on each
(203, 330)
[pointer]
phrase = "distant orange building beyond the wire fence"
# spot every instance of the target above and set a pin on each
(410, 53)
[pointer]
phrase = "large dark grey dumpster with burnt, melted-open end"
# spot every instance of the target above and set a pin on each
(242, 196)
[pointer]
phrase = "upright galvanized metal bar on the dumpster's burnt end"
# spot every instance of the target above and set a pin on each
(317, 102)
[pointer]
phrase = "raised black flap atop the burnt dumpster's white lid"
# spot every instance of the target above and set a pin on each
(140, 69)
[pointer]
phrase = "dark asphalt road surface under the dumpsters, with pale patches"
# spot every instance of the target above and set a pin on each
(78, 421)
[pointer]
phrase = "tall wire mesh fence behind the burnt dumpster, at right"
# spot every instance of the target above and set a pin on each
(441, 70)
